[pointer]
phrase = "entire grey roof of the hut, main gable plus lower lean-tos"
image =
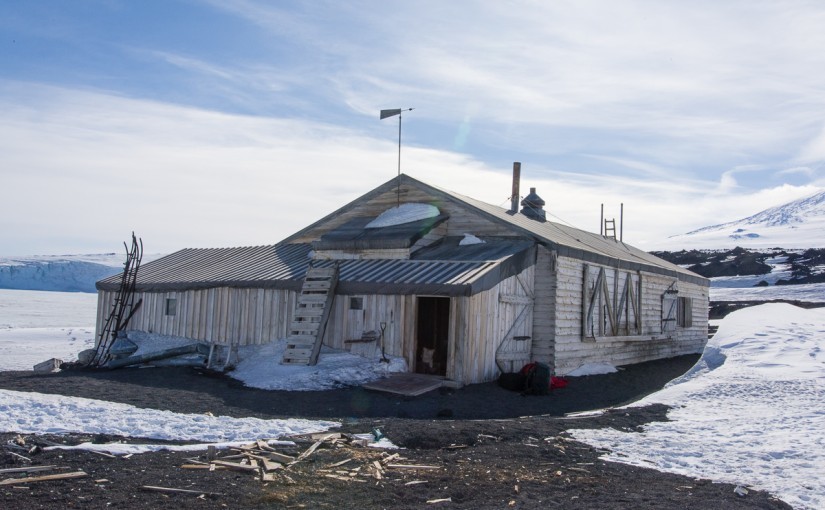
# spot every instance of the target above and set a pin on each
(443, 269)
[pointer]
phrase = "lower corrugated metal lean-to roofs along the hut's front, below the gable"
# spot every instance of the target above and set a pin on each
(284, 266)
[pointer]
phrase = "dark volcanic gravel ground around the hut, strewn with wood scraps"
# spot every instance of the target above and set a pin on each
(492, 448)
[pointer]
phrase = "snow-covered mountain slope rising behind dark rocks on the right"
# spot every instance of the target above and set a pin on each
(797, 224)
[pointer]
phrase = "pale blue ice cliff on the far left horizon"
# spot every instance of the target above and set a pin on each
(65, 273)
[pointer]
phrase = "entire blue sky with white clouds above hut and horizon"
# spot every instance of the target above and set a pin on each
(237, 122)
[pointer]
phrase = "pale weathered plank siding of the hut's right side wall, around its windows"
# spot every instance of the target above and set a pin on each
(574, 349)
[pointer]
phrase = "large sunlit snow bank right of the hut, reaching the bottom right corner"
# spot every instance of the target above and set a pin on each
(750, 412)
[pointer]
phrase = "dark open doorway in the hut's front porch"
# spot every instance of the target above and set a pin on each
(433, 332)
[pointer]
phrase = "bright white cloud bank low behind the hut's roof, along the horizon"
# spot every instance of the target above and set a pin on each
(86, 165)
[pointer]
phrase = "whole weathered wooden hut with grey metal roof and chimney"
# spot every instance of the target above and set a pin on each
(458, 287)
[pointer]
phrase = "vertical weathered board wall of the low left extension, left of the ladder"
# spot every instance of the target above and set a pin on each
(221, 315)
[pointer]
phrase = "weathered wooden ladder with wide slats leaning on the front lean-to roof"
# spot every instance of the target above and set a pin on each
(306, 331)
